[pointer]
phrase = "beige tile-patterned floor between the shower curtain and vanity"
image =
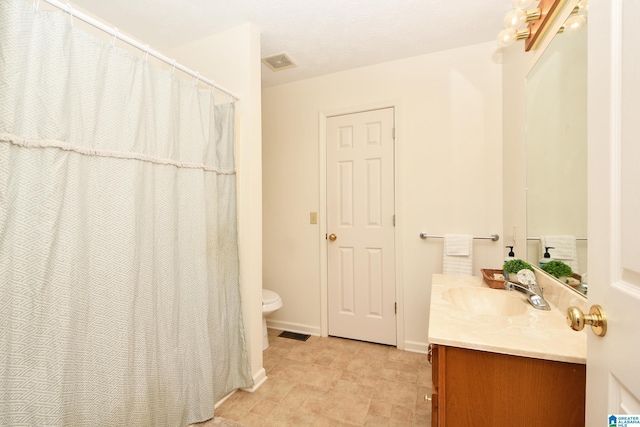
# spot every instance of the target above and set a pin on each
(335, 382)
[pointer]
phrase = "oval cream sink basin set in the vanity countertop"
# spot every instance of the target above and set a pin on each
(485, 301)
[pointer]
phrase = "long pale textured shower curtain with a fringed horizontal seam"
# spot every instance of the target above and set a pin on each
(119, 296)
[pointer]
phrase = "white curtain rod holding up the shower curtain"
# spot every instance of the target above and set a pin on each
(144, 48)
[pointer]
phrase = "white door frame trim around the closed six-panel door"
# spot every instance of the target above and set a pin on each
(322, 229)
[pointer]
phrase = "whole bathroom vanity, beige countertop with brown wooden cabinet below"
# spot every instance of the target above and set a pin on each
(497, 361)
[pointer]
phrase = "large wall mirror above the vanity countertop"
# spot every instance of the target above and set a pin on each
(556, 138)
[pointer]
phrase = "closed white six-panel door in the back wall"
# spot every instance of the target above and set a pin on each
(360, 215)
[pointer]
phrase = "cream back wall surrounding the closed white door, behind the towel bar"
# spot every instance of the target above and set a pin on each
(449, 174)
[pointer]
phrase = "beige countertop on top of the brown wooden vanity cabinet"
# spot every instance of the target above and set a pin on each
(522, 332)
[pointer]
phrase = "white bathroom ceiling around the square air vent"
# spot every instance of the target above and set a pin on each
(320, 36)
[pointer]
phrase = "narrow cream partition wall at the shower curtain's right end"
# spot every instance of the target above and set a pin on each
(232, 58)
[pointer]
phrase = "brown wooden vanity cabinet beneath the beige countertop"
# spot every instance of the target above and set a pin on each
(483, 389)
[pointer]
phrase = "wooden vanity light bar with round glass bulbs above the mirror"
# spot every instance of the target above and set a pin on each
(535, 21)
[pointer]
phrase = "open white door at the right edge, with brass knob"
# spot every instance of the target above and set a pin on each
(613, 361)
